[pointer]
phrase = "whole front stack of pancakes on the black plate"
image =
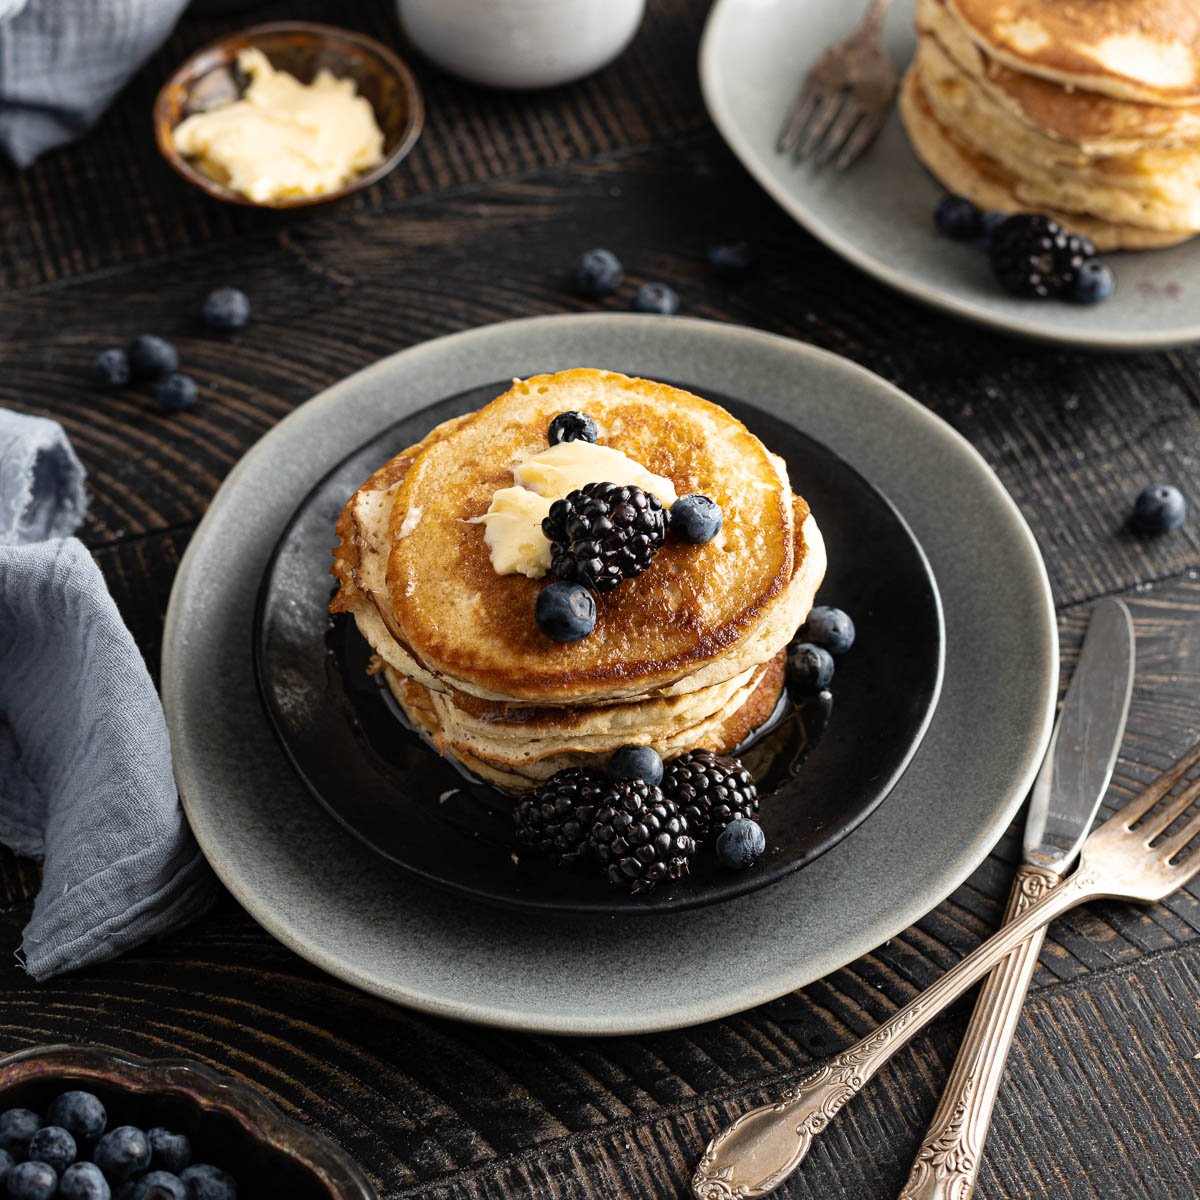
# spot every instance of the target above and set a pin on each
(688, 655)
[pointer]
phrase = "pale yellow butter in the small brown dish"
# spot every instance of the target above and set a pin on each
(284, 137)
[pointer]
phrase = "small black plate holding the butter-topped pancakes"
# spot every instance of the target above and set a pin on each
(821, 771)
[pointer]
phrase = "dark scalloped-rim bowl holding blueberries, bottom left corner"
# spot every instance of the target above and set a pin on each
(229, 1124)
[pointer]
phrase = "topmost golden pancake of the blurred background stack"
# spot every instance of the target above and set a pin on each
(1135, 50)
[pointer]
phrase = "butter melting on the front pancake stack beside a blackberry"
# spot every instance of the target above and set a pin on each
(513, 521)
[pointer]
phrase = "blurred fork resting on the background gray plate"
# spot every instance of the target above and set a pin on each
(845, 98)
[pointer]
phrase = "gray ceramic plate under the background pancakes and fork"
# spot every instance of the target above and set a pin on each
(879, 214)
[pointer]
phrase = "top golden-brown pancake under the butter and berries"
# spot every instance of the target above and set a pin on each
(475, 631)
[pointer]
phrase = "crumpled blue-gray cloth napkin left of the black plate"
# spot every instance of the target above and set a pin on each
(86, 781)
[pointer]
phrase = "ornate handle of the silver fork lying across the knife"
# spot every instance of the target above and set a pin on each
(764, 1147)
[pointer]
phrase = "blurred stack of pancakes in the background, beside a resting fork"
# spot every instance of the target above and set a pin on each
(1085, 110)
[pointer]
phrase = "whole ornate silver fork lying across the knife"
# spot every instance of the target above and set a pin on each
(1135, 856)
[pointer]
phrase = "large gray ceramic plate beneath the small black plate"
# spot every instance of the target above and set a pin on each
(332, 899)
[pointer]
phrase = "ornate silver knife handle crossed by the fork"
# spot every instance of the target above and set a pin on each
(947, 1165)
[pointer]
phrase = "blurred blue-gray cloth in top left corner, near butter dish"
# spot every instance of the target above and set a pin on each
(63, 62)
